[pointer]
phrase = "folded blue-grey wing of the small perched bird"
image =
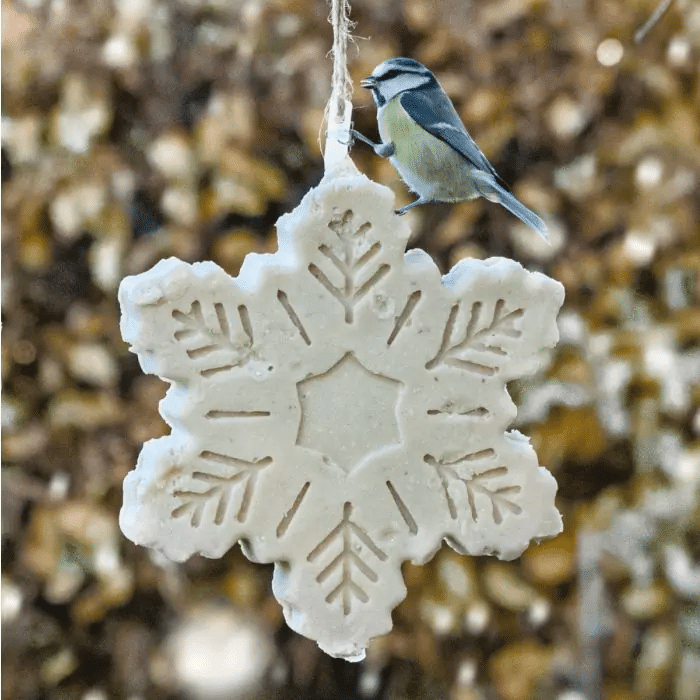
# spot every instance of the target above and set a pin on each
(433, 111)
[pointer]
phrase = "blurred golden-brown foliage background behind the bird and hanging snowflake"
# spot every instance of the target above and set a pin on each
(133, 130)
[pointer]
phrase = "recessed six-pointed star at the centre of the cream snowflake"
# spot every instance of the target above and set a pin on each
(348, 413)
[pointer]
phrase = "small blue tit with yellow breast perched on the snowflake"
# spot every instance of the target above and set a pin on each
(427, 143)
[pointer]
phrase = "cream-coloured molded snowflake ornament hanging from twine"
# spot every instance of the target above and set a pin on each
(339, 408)
